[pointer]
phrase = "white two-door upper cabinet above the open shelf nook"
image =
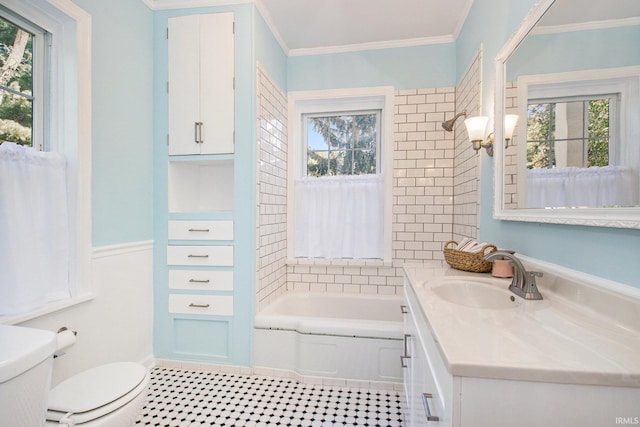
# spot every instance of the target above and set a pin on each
(201, 84)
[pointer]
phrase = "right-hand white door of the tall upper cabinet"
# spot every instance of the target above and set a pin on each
(216, 81)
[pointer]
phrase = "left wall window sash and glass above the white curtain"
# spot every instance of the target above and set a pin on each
(22, 75)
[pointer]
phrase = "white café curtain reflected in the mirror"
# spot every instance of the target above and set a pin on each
(582, 187)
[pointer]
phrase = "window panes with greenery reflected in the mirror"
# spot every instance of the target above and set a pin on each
(571, 132)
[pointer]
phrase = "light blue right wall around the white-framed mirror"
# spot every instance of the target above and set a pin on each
(605, 252)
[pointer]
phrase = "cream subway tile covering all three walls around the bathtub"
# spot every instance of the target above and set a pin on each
(434, 192)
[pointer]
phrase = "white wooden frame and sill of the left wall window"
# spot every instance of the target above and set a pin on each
(68, 125)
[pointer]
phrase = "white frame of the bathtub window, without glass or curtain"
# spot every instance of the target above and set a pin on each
(339, 100)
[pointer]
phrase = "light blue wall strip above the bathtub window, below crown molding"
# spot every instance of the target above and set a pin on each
(402, 68)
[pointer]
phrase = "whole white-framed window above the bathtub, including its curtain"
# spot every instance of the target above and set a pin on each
(340, 174)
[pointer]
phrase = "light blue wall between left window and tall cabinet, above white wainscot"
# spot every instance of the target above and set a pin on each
(122, 106)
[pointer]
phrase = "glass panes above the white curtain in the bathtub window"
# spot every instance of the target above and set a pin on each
(344, 143)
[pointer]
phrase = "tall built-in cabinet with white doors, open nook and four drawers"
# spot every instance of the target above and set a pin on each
(199, 315)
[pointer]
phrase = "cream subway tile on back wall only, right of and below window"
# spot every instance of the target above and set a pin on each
(422, 201)
